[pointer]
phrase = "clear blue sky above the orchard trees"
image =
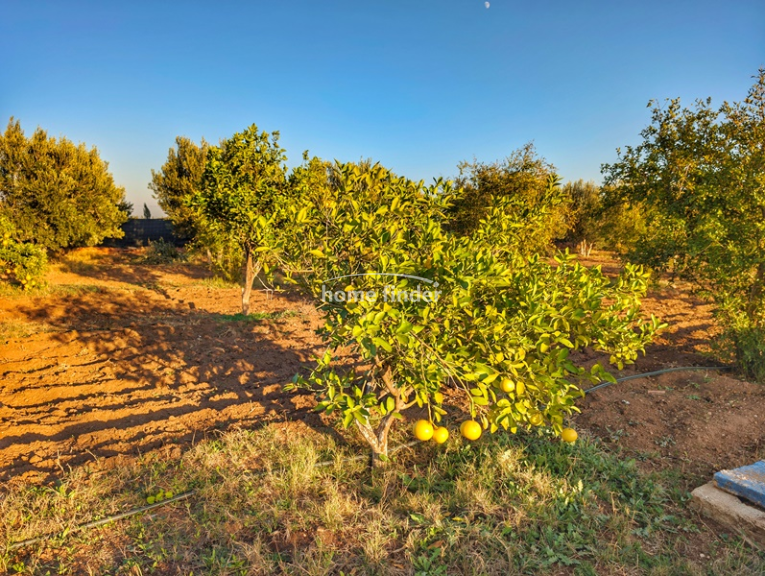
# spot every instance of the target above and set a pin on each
(418, 85)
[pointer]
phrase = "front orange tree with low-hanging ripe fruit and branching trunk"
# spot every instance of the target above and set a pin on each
(423, 309)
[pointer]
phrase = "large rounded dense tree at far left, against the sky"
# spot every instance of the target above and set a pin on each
(58, 194)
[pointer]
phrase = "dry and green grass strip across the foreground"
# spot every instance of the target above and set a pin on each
(264, 503)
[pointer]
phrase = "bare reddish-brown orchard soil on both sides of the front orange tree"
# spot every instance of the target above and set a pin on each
(118, 358)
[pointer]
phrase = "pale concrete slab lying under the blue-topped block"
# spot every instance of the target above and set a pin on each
(746, 520)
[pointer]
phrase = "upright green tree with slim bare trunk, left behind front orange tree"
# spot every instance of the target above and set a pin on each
(244, 186)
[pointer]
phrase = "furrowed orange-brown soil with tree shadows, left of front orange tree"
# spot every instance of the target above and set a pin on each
(128, 372)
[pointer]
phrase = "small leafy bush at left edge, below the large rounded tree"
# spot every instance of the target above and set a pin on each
(20, 262)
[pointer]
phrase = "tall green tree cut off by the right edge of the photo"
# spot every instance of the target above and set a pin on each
(698, 181)
